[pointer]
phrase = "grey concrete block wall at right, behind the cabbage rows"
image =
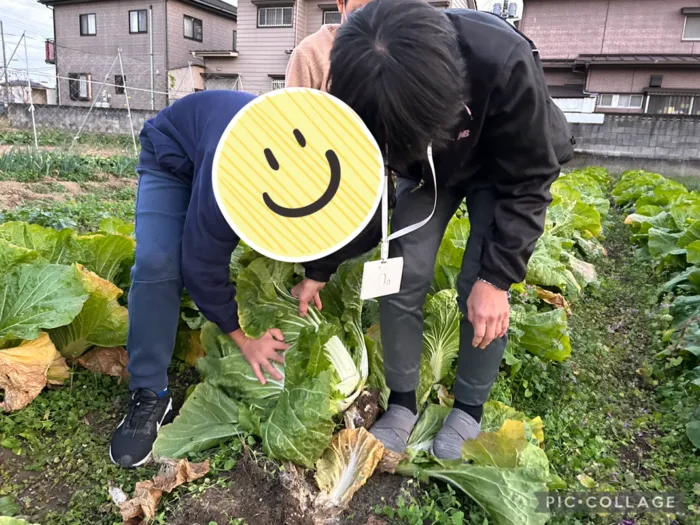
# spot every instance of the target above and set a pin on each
(641, 137)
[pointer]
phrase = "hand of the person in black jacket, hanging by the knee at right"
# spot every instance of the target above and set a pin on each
(489, 313)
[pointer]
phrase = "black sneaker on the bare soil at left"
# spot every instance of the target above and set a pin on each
(132, 442)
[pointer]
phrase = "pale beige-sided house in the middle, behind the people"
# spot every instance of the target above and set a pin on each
(268, 32)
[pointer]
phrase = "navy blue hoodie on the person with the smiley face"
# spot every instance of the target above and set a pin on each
(181, 140)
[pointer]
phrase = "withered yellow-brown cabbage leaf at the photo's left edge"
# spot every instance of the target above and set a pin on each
(23, 371)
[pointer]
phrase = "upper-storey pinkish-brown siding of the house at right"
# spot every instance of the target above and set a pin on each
(567, 28)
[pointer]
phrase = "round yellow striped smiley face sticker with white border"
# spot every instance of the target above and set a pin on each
(297, 175)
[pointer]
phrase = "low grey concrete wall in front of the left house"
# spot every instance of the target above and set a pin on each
(71, 117)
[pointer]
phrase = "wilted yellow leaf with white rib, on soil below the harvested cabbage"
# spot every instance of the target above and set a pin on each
(346, 465)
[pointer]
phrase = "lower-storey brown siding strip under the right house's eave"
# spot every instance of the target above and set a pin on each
(635, 80)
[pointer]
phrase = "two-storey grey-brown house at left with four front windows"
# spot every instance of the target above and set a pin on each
(144, 45)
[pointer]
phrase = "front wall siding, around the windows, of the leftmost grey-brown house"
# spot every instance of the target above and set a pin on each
(95, 54)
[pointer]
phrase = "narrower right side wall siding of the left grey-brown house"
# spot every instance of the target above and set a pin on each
(217, 34)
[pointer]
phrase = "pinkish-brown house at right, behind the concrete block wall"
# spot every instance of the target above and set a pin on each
(619, 56)
